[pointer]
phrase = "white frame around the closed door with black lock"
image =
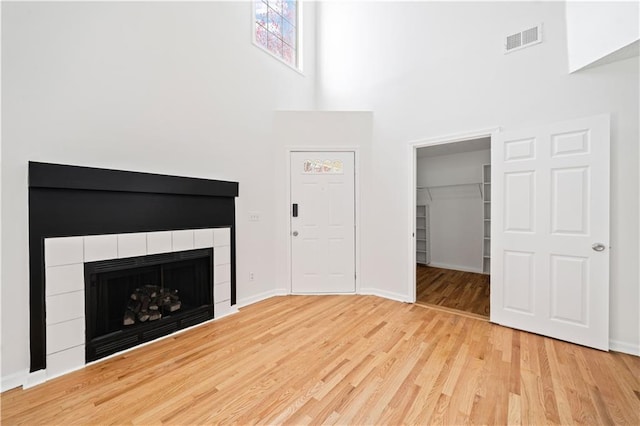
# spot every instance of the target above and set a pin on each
(356, 156)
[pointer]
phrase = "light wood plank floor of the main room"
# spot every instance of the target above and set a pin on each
(350, 360)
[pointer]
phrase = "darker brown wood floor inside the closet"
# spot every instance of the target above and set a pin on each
(462, 291)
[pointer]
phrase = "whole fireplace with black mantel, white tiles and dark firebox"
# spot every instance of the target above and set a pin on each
(175, 235)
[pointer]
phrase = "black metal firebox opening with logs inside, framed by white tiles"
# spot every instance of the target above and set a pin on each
(133, 300)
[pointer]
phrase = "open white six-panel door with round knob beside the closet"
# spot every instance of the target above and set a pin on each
(550, 230)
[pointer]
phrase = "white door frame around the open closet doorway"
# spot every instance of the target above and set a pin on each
(413, 161)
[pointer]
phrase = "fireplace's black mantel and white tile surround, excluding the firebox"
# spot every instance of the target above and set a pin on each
(82, 214)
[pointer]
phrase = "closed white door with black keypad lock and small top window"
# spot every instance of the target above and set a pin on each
(323, 222)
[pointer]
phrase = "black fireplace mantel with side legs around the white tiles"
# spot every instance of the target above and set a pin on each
(69, 200)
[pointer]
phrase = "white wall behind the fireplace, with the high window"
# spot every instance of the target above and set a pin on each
(173, 88)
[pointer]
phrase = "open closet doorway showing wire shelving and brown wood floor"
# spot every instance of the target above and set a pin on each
(453, 224)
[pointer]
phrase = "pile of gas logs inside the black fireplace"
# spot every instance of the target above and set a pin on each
(147, 304)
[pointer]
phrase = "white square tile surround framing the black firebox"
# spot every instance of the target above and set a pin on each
(65, 287)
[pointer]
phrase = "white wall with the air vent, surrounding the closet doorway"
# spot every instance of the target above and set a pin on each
(438, 68)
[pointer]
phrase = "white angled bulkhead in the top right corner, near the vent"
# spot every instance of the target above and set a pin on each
(598, 29)
